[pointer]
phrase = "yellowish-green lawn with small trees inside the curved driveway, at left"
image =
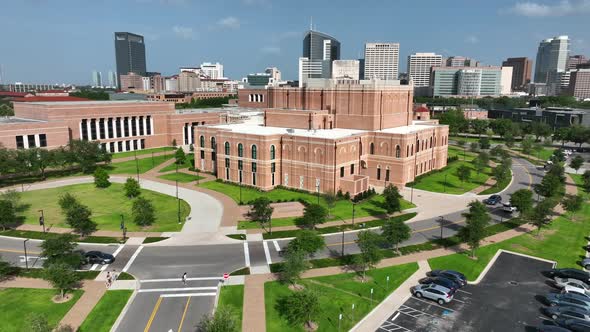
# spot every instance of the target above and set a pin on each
(107, 206)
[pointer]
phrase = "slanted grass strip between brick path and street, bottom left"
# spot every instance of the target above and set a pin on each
(106, 311)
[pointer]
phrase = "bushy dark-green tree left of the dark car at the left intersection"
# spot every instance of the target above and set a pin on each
(61, 249)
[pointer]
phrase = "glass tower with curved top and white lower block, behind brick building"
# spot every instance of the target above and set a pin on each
(319, 50)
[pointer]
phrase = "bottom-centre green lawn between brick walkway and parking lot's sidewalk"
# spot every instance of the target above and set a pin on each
(337, 294)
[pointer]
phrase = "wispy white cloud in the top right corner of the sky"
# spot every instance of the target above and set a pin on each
(561, 8)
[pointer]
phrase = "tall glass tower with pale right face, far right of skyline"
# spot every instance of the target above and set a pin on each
(551, 55)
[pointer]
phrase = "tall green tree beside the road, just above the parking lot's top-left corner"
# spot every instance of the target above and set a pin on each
(476, 220)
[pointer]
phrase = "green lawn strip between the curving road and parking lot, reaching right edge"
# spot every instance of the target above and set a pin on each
(562, 242)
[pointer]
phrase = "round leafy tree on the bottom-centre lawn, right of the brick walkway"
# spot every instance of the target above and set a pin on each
(300, 308)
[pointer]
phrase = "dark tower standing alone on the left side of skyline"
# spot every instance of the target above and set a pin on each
(129, 54)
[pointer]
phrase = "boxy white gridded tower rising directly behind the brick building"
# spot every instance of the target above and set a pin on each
(381, 61)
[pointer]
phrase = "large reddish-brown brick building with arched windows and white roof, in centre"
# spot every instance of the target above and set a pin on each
(326, 136)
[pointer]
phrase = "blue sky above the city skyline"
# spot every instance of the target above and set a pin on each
(57, 41)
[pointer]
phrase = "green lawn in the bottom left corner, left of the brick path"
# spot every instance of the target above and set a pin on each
(17, 304)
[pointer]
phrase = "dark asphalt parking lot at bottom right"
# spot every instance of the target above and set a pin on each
(507, 299)
